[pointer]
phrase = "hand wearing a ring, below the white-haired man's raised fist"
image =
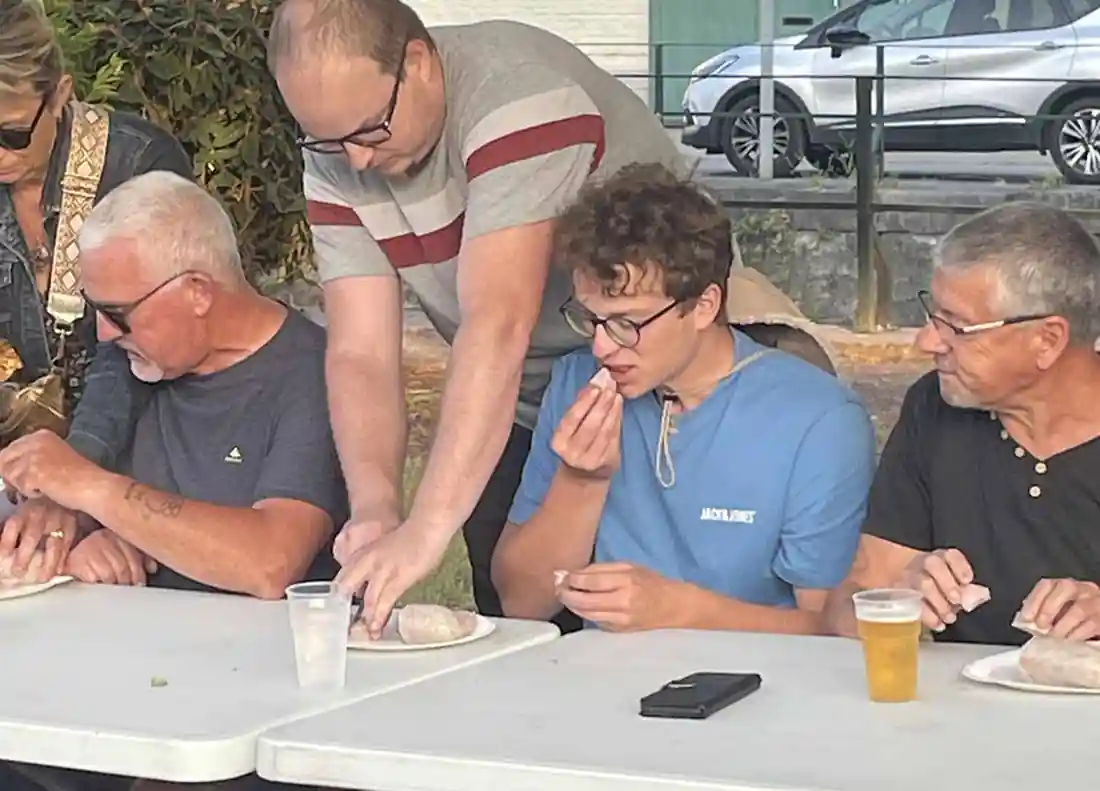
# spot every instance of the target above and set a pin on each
(39, 525)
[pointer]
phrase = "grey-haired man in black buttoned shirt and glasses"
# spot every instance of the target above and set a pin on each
(993, 474)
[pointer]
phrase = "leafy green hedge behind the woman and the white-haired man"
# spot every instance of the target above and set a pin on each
(197, 69)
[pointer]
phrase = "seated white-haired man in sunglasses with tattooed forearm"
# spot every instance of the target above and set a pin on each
(233, 481)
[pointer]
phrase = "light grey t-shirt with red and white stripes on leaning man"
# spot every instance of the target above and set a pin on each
(531, 120)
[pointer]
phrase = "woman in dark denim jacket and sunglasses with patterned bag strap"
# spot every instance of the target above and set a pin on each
(58, 159)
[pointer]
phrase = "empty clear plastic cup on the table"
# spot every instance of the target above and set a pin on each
(320, 621)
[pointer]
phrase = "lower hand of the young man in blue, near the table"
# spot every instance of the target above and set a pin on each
(620, 597)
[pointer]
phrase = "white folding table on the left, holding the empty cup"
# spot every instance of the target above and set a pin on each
(178, 686)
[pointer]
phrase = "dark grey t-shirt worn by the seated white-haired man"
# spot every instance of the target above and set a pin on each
(257, 431)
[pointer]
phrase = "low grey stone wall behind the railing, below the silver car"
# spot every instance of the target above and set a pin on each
(811, 252)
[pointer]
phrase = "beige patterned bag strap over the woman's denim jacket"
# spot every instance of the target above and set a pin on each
(80, 186)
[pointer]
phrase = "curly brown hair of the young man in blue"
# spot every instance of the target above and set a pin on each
(648, 219)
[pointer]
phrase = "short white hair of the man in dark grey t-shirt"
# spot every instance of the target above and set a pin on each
(174, 223)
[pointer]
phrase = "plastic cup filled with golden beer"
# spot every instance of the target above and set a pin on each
(889, 622)
